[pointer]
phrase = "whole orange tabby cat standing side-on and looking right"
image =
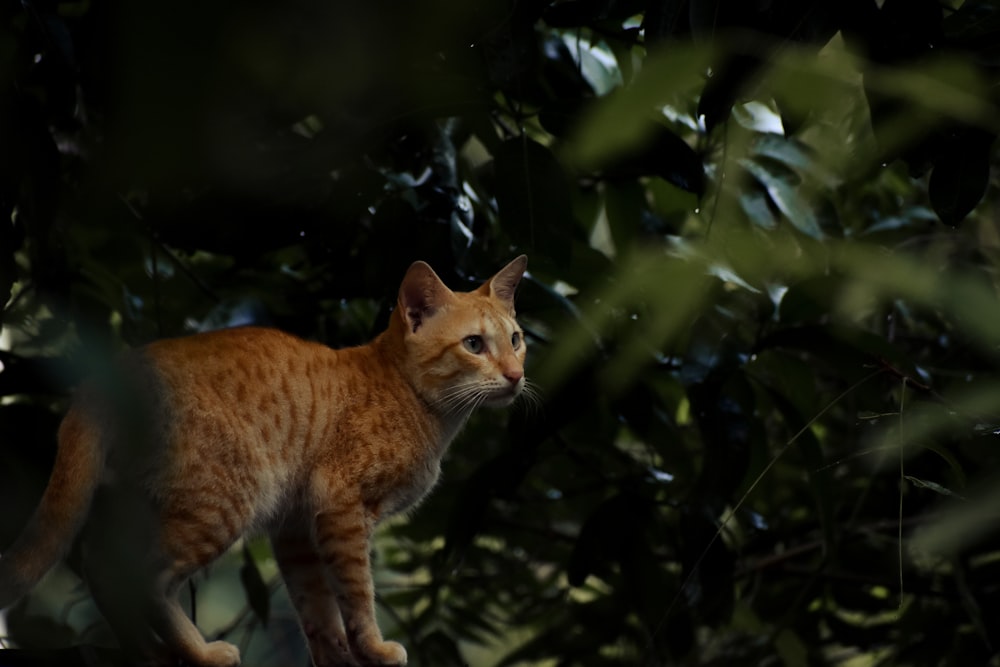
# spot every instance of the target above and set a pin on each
(232, 431)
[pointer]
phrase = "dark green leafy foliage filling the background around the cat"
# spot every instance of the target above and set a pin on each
(762, 301)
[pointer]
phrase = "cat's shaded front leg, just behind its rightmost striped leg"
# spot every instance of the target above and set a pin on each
(315, 601)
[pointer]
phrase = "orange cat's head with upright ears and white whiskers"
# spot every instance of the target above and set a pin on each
(462, 349)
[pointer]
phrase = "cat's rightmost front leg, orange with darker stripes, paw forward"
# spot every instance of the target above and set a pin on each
(343, 539)
